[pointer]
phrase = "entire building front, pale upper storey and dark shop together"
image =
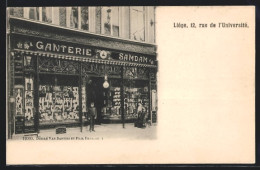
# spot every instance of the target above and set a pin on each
(59, 59)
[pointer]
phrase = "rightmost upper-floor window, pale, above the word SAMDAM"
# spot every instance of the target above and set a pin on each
(137, 23)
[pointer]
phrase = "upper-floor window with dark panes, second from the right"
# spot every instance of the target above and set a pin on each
(110, 21)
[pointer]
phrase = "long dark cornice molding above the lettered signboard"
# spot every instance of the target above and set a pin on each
(51, 32)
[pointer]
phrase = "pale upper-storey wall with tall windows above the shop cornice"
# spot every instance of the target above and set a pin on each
(132, 22)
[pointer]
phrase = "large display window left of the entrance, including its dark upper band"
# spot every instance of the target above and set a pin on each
(58, 99)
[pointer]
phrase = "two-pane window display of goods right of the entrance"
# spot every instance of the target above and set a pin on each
(135, 93)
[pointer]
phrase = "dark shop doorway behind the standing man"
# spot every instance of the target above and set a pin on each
(97, 95)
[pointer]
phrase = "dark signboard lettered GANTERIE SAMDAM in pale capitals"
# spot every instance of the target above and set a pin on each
(65, 48)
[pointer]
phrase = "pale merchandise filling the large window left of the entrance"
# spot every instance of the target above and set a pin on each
(58, 104)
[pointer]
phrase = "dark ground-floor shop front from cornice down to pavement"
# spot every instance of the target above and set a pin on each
(55, 73)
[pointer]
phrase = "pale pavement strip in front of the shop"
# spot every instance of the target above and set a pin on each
(102, 132)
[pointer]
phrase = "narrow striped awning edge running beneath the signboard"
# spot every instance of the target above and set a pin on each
(83, 59)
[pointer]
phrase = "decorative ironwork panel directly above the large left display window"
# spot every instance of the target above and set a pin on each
(58, 66)
